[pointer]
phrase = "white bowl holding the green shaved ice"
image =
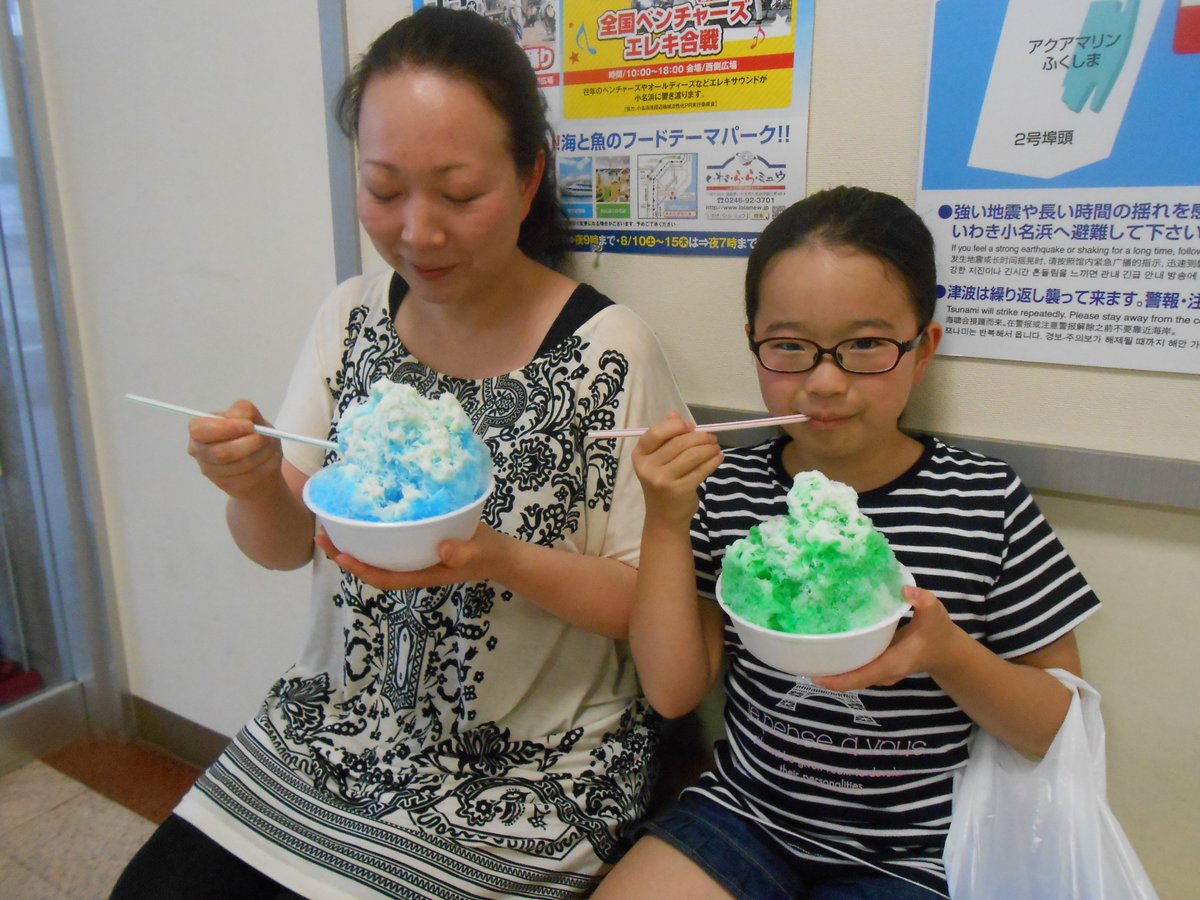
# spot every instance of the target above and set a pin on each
(817, 655)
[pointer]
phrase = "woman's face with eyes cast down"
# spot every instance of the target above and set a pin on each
(440, 194)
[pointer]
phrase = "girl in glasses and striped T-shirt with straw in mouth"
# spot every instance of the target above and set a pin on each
(841, 787)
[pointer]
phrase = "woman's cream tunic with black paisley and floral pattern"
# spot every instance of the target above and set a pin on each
(459, 741)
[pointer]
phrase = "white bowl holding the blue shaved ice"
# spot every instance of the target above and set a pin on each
(399, 547)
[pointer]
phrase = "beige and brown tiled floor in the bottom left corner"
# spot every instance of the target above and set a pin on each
(63, 839)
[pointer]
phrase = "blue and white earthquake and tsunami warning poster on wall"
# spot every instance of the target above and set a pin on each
(1061, 178)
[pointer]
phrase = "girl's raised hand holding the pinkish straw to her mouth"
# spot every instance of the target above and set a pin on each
(671, 460)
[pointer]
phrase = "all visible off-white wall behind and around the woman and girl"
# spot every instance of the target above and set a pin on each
(190, 153)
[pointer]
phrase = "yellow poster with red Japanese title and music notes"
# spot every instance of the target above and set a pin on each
(676, 57)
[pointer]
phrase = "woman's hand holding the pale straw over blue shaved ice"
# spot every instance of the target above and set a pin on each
(231, 454)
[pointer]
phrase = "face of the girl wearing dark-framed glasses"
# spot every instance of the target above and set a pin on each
(830, 295)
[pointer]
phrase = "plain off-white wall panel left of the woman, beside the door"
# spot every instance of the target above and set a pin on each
(189, 147)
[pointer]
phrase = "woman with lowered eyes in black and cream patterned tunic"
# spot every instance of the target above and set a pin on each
(473, 729)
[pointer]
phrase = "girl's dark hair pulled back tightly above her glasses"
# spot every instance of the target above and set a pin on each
(857, 219)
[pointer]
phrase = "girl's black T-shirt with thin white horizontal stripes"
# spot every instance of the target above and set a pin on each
(868, 776)
